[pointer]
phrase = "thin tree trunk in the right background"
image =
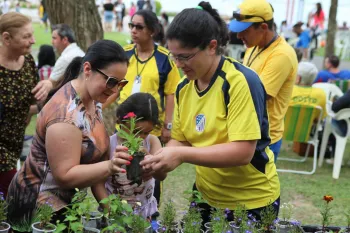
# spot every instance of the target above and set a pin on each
(332, 28)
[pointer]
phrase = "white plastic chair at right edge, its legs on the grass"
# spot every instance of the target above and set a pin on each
(340, 140)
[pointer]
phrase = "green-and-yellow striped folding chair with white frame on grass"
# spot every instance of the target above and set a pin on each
(298, 126)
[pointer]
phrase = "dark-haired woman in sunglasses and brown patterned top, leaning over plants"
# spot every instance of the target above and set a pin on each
(70, 148)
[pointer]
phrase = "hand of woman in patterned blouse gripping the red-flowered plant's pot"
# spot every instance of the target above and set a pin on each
(121, 157)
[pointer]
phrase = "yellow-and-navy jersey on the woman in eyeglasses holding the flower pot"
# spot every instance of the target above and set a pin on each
(232, 108)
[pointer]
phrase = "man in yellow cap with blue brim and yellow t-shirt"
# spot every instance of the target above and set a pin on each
(271, 57)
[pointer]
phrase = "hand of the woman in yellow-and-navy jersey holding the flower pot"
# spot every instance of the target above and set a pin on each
(164, 160)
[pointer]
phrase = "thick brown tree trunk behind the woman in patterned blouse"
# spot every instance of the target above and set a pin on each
(81, 15)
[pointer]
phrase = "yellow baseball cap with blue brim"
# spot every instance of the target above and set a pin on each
(249, 12)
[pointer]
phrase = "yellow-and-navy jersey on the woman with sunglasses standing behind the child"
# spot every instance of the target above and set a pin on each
(157, 75)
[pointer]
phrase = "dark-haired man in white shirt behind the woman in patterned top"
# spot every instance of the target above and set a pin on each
(63, 41)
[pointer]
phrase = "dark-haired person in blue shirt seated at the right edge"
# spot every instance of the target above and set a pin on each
(332, 70)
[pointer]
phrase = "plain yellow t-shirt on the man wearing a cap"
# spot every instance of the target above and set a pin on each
(277, 67)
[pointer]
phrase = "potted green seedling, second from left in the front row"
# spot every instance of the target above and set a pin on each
(44, 213)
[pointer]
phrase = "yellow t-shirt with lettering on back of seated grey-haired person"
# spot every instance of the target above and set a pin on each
(310, 96)
